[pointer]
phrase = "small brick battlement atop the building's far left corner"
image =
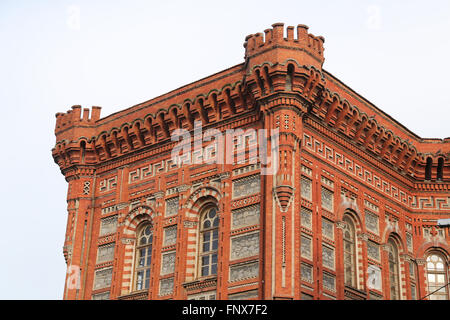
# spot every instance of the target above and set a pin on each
(74, 117)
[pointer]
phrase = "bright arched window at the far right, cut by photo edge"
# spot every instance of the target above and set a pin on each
(437, 277)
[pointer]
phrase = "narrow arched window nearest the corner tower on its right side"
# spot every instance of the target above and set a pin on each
(349, 252)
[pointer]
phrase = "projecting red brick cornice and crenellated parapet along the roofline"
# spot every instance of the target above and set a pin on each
(281, 62)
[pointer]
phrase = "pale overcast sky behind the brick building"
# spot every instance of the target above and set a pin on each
(115, 54)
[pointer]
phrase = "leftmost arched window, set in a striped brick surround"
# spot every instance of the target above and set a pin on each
(143, 257)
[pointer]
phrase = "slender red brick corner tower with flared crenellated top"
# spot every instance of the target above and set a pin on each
(284, 75)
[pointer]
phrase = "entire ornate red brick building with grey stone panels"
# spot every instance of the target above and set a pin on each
(351, 211)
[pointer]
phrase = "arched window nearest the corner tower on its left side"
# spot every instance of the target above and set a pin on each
(209, 242)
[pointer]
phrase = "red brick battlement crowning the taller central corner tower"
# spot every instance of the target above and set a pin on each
(256, 43)
